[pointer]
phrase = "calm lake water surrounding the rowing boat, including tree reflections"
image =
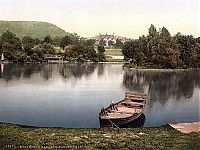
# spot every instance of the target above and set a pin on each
(71, 95)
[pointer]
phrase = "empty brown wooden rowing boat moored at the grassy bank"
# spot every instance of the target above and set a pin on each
(124, 111)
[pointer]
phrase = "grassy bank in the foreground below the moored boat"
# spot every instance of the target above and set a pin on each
(137, 138)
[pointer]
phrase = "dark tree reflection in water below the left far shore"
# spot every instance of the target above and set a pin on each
(46, 71)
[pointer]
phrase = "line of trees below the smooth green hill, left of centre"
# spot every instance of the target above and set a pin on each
(70, 47)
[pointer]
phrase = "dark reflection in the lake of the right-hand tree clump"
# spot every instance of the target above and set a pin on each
(163, 85)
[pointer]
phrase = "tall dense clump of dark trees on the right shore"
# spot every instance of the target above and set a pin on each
(161, 50)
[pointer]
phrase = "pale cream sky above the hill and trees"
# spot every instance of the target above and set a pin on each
(130, 18)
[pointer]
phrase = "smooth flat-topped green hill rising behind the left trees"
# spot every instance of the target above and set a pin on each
(31, 28)
